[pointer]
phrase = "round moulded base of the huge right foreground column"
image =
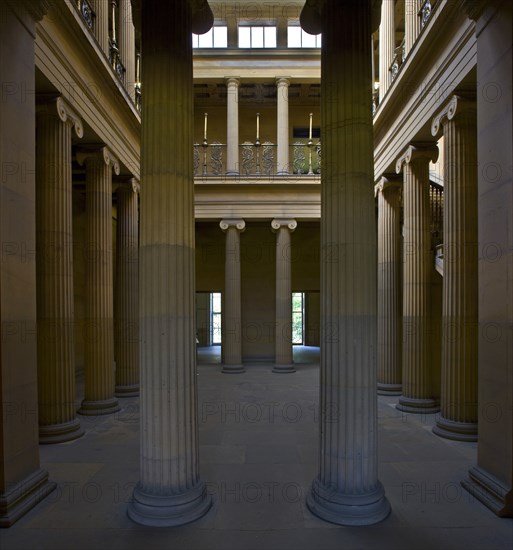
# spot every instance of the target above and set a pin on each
(343, 509)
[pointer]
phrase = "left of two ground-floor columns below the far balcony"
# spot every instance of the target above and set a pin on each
(232, 342)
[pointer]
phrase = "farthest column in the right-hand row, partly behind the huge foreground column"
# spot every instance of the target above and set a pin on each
(389, 288)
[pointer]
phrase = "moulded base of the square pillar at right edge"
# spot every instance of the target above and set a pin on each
(490, 491)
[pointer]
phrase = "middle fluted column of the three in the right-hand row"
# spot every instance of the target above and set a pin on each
(418, 390)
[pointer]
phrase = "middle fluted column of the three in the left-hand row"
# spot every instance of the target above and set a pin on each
(99, 329)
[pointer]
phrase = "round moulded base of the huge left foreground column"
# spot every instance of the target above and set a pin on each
(171, 510)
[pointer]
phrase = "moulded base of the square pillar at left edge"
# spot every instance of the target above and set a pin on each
(23, 496)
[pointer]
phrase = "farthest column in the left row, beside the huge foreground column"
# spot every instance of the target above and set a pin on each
(126, 314)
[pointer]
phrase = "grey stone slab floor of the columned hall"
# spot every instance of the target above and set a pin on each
(258, 454)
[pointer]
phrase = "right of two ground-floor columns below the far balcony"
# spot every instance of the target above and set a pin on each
(283, 362)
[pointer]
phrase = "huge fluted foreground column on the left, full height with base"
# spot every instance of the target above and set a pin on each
(169, 491)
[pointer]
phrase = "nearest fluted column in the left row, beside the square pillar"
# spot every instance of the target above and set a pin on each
(55, 348)
